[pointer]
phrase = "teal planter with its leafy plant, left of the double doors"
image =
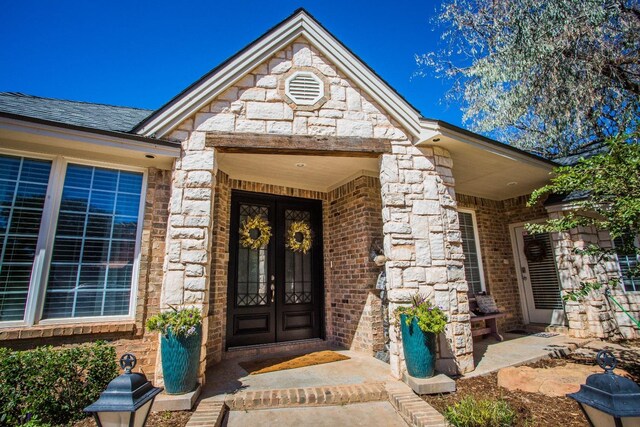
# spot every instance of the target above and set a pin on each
(180, 340)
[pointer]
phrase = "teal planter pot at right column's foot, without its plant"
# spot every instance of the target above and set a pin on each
(419, 349)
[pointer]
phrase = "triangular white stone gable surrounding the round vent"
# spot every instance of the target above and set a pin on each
(258, 104)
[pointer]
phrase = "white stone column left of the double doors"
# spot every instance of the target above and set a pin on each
(188, 258)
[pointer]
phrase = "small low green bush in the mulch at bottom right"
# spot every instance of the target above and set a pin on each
(470, 412)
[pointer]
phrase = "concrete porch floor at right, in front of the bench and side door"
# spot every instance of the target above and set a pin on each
(491, 355)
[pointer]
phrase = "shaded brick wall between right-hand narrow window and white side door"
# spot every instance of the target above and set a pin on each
(493, 219)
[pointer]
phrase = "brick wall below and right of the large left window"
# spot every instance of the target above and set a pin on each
(126, 336)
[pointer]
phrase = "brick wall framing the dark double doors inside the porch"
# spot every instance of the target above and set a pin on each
(351, 218)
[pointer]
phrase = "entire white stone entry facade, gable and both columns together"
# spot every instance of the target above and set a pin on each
(422, 238)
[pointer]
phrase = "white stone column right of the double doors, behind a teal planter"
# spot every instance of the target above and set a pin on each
(424, 249)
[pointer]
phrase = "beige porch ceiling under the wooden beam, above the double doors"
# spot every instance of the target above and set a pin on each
(319, 173)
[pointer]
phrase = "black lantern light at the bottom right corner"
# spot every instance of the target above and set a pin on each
(609, 400)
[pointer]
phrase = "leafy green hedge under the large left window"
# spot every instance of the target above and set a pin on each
(52, 386)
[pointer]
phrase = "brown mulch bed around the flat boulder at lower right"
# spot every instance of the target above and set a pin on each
(535, 409)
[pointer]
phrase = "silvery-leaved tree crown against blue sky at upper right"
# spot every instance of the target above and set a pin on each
(548, 77)
